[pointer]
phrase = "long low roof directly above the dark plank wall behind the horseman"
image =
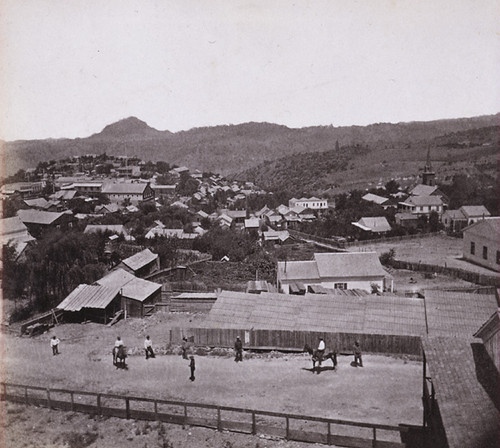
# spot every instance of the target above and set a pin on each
(358, 312)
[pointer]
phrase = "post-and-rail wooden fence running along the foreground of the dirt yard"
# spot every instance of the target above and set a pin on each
(288, 426)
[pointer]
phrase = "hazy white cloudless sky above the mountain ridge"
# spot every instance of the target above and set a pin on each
(70, 67)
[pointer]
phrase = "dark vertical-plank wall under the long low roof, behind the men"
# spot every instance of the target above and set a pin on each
(296, 340)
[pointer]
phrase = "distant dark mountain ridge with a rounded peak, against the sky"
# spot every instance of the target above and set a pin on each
(232, 148)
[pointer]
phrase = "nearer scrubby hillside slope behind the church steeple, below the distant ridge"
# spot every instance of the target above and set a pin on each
(472, 152)
